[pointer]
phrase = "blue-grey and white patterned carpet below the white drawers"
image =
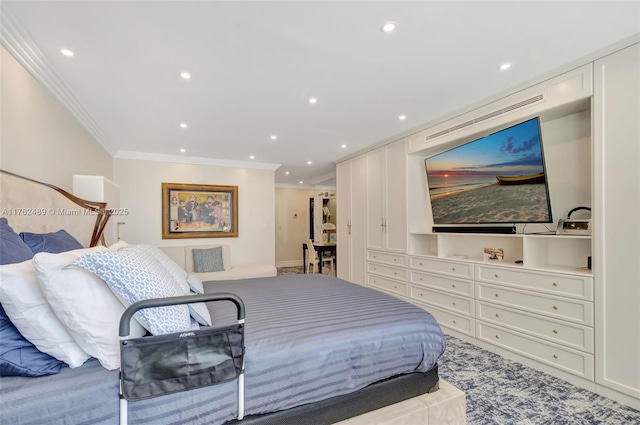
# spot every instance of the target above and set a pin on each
(501, 391)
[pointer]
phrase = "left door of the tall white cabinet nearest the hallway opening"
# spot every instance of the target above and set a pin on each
(343, 207)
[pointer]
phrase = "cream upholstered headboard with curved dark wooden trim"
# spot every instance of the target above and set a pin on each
(33, 206)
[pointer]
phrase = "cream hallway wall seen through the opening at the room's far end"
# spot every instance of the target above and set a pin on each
(292, 224)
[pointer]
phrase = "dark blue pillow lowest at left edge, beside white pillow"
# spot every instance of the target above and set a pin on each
(19, 357)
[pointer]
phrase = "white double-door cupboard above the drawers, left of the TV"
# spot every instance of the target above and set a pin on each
(387, 198)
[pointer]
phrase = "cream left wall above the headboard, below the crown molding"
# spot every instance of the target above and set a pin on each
(39, 138)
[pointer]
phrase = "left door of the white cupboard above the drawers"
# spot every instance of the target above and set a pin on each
(375, 197)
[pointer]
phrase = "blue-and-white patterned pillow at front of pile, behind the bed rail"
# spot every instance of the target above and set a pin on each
(135, 275)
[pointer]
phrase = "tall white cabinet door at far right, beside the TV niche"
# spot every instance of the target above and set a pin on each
(616, 225)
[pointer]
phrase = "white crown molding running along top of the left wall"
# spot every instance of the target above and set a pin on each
(14, 38)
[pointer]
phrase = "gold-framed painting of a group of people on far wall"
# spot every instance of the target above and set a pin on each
(199, 211)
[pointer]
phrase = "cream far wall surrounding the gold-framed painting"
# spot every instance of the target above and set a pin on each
(140, 191)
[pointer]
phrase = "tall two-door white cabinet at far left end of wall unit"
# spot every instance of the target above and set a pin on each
(350, 188)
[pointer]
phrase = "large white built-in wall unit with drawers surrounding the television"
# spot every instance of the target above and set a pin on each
(541, 304)
